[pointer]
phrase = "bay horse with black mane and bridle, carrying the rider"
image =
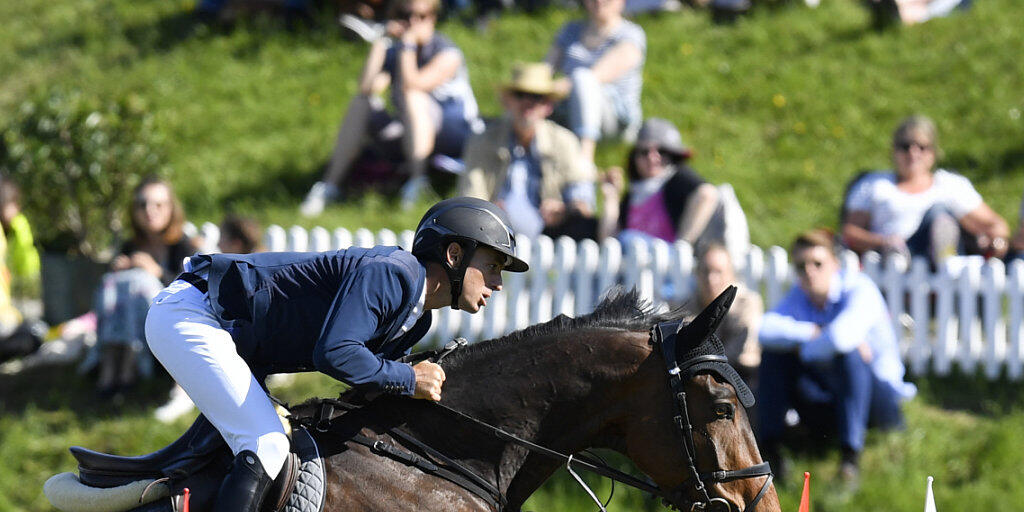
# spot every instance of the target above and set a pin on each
(514, 410)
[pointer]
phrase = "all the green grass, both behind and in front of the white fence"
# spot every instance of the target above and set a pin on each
(787, 105)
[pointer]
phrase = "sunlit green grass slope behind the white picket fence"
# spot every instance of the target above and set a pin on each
(786, 105)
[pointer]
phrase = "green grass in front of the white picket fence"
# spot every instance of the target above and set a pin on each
(964, 432)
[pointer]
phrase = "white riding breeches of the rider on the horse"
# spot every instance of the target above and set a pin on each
(186, 337)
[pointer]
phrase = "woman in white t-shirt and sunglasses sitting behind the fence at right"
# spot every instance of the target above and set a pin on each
(918, 210)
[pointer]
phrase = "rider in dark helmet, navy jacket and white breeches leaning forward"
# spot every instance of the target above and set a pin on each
(231, 320)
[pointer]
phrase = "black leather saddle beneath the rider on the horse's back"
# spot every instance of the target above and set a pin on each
(199, 460)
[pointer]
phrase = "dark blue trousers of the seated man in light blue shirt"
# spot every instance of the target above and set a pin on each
(845, 388)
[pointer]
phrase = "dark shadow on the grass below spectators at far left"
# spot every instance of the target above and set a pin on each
(63, 389)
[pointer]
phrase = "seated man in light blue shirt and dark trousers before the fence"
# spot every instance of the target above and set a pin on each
(830, 352)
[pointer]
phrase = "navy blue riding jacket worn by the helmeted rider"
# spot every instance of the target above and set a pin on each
(340, 313)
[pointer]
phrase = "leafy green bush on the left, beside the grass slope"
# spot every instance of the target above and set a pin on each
(77, 160)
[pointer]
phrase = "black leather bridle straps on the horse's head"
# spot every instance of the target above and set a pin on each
(664, 335)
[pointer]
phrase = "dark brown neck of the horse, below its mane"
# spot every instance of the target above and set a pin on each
(546, 392)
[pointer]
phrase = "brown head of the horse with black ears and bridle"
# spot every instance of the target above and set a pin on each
(693, 435)
